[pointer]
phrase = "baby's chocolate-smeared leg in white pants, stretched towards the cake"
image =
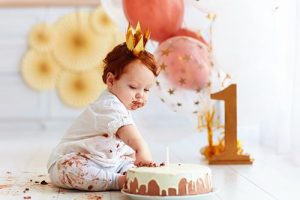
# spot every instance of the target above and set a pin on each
(75, 171)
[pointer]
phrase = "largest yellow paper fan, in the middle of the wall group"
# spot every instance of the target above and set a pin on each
(78, 47)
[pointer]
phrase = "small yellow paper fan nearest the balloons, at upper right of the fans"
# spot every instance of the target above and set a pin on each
(101, 23)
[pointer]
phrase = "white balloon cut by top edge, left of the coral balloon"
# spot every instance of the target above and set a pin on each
(114, 10)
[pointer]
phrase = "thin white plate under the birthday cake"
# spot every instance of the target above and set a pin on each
(207, 196)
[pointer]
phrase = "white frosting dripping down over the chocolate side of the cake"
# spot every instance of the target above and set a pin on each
(170, 176)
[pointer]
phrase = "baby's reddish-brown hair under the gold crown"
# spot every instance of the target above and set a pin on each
(120, 57)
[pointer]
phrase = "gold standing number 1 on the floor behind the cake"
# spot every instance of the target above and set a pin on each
(230, 154)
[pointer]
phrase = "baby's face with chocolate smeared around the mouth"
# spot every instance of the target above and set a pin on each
(132, 88)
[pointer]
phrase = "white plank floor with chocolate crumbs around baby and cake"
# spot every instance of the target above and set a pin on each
(23, 158)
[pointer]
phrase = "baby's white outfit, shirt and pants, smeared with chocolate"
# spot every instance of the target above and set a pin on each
(90, 156)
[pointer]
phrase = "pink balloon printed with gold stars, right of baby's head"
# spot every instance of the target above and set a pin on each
(185, 61)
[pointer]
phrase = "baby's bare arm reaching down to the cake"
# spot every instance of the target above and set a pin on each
(130, 135)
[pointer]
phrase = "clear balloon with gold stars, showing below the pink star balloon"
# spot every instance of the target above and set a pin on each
(191, 102)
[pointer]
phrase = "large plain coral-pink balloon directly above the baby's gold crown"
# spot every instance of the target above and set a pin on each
(163, 18)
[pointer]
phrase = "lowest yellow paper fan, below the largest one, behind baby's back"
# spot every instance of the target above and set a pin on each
(80, 89)
